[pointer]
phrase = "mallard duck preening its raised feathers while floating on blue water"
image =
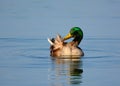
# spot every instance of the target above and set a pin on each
(60, 48)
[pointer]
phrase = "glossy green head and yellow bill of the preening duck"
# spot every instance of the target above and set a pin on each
(75, 32)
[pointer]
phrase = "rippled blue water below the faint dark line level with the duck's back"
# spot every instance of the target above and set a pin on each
(26, 62)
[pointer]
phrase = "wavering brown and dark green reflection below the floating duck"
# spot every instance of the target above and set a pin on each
(66, 72)
